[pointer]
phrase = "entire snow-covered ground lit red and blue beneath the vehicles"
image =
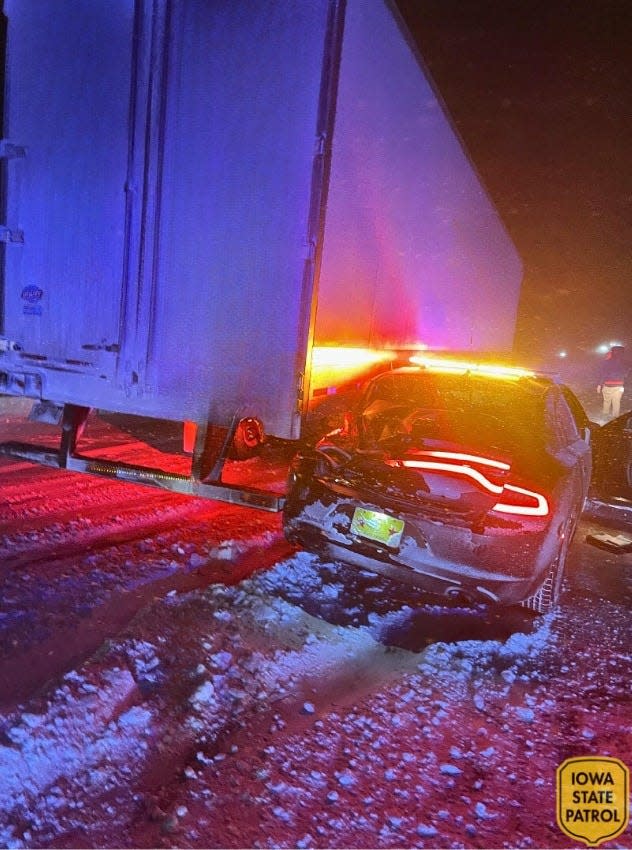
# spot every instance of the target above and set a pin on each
(173, 674)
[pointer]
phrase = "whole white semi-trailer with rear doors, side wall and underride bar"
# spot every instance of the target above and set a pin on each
(198, 200)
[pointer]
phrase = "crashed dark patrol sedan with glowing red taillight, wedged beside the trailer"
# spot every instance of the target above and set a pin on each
(466, 481)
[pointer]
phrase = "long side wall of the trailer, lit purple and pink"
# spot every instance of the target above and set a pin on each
(412, 243)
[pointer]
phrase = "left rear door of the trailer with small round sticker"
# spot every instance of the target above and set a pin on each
(66, 178)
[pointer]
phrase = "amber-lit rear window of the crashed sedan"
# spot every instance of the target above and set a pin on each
(506, 414)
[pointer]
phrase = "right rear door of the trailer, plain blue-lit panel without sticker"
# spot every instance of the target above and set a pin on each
(245, 117)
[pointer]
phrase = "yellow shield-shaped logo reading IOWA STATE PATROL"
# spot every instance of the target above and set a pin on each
(593, 799)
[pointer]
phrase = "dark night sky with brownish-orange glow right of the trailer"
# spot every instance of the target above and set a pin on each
(541, 95)
